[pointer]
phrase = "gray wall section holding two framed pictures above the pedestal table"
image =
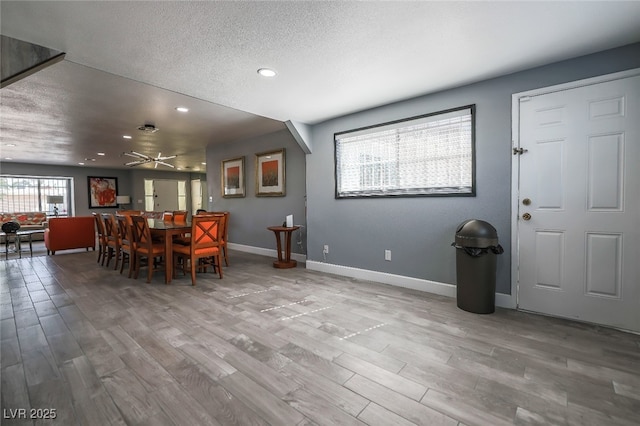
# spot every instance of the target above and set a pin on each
(251, 215)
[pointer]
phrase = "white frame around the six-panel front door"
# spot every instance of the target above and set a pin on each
(513, 301)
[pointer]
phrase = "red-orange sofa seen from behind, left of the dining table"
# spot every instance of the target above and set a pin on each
(66, 233)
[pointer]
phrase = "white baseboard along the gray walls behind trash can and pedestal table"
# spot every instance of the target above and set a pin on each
(442, 289)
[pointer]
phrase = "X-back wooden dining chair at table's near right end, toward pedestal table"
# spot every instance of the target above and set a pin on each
(204, 248)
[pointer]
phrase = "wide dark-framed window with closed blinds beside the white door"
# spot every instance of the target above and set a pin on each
(421, 156)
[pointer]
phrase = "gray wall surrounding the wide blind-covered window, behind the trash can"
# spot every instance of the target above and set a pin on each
(419, 231)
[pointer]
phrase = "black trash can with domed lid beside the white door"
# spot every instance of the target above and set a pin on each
(476, 249)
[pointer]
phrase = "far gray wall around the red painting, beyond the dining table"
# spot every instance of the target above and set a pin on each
(130, 181)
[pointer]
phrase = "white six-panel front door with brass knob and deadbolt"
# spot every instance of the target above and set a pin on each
(578, 226)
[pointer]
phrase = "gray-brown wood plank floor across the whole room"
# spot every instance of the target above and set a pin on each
(292, 347)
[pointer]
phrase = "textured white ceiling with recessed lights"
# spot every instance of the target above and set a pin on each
(332, 58)
